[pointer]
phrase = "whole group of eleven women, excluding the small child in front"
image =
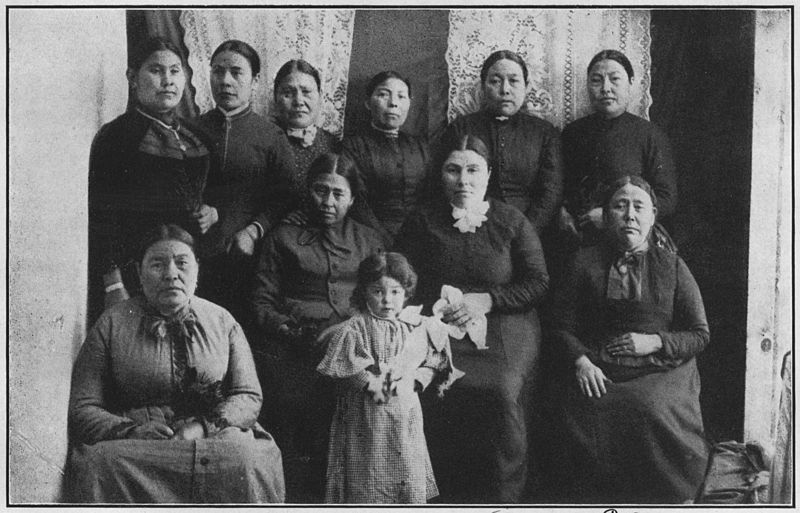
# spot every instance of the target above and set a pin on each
(166, 400)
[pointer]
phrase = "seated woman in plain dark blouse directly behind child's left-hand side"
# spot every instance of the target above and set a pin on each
(305, 277)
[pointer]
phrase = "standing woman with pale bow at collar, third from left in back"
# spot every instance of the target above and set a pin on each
(297, 93)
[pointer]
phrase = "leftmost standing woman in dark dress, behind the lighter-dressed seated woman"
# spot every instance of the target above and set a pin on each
(146, 169)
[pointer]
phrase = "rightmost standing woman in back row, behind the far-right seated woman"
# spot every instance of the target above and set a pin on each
(609, 144)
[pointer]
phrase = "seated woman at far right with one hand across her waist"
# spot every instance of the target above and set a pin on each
(630, 320)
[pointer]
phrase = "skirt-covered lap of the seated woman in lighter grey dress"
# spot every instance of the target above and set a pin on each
(233, 467)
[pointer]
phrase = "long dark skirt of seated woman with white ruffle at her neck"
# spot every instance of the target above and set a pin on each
(478, 433)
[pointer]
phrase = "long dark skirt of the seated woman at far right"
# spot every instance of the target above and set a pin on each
(642, 442)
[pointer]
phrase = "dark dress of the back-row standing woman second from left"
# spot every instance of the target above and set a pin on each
(247, 184)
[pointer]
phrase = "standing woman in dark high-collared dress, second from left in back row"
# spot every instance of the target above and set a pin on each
(248, 181)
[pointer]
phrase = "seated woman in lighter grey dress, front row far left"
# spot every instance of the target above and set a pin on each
(164, 396)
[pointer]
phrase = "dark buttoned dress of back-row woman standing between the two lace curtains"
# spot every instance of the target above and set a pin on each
(393, 170)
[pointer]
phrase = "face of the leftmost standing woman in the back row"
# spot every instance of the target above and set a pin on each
(159, 82)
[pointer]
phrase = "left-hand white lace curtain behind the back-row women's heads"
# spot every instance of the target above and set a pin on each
(322, 37)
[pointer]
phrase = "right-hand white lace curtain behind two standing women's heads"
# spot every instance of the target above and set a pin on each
(557, 45)
